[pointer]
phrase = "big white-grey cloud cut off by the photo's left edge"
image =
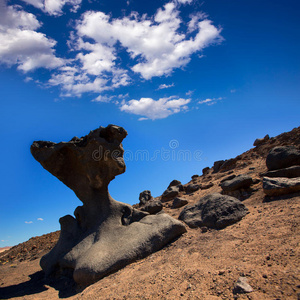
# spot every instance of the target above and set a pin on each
(21, 44)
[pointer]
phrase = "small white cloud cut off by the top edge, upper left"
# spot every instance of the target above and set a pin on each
(54, 7)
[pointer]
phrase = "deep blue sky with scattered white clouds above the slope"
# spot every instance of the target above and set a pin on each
(199, 78)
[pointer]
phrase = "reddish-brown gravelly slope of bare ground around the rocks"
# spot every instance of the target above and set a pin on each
(202, 264)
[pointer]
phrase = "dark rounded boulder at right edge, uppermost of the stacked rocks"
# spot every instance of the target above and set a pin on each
(283, 157)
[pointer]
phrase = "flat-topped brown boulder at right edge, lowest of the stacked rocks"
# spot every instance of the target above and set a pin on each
(281, 186)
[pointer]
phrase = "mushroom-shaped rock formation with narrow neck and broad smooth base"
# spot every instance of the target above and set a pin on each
(105, 235)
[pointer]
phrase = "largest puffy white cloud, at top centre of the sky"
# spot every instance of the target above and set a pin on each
(155, 44)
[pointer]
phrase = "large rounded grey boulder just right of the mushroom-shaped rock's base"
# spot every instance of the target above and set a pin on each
(214, 211)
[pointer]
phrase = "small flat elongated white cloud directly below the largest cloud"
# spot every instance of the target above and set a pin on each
(155, 109)
